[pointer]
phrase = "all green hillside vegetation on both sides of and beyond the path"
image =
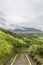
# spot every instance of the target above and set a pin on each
(13, 43)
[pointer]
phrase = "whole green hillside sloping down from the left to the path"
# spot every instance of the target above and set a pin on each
(9, 45)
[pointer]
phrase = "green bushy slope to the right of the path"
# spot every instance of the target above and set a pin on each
(35, 48)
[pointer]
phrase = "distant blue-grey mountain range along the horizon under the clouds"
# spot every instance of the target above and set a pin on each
(25, 29)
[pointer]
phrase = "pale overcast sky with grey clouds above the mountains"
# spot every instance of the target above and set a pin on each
(18, 13)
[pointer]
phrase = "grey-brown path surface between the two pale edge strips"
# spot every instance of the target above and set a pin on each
(21, 60)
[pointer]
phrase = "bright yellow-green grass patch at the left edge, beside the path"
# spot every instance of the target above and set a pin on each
(5, 48)
